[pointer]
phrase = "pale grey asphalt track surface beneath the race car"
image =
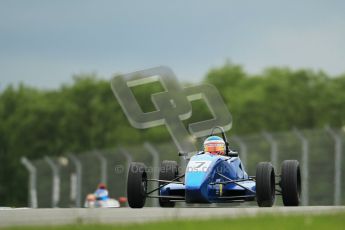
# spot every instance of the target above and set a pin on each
(60, 216)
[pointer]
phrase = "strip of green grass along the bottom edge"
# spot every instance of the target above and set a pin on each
(314, 222)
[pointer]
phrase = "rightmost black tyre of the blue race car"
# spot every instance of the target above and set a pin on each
(290, 182)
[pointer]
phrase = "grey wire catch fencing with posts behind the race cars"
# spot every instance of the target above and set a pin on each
(65, 181)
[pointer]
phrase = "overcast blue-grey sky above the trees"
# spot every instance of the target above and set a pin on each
(43, 43)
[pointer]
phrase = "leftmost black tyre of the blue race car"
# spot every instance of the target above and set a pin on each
(136, 185)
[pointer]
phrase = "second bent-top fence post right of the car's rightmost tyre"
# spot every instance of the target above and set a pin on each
(337, 165)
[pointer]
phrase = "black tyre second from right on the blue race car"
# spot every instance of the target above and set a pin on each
(265, 184)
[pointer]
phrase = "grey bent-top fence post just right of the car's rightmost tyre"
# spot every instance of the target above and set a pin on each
(305, 166)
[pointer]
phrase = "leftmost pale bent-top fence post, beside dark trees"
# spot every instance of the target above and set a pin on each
(32, 182)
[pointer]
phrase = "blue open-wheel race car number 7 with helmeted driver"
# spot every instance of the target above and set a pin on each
(215, 178)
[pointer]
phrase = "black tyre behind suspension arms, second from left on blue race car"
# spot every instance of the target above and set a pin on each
(168, 171)
